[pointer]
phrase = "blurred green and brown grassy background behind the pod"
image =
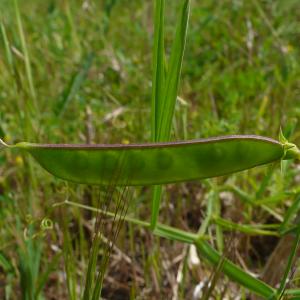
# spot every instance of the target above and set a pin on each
(80, 71)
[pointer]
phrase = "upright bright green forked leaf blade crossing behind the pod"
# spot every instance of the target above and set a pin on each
(165, 91)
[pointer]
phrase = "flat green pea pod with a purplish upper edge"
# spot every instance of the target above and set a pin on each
(157, 163)
